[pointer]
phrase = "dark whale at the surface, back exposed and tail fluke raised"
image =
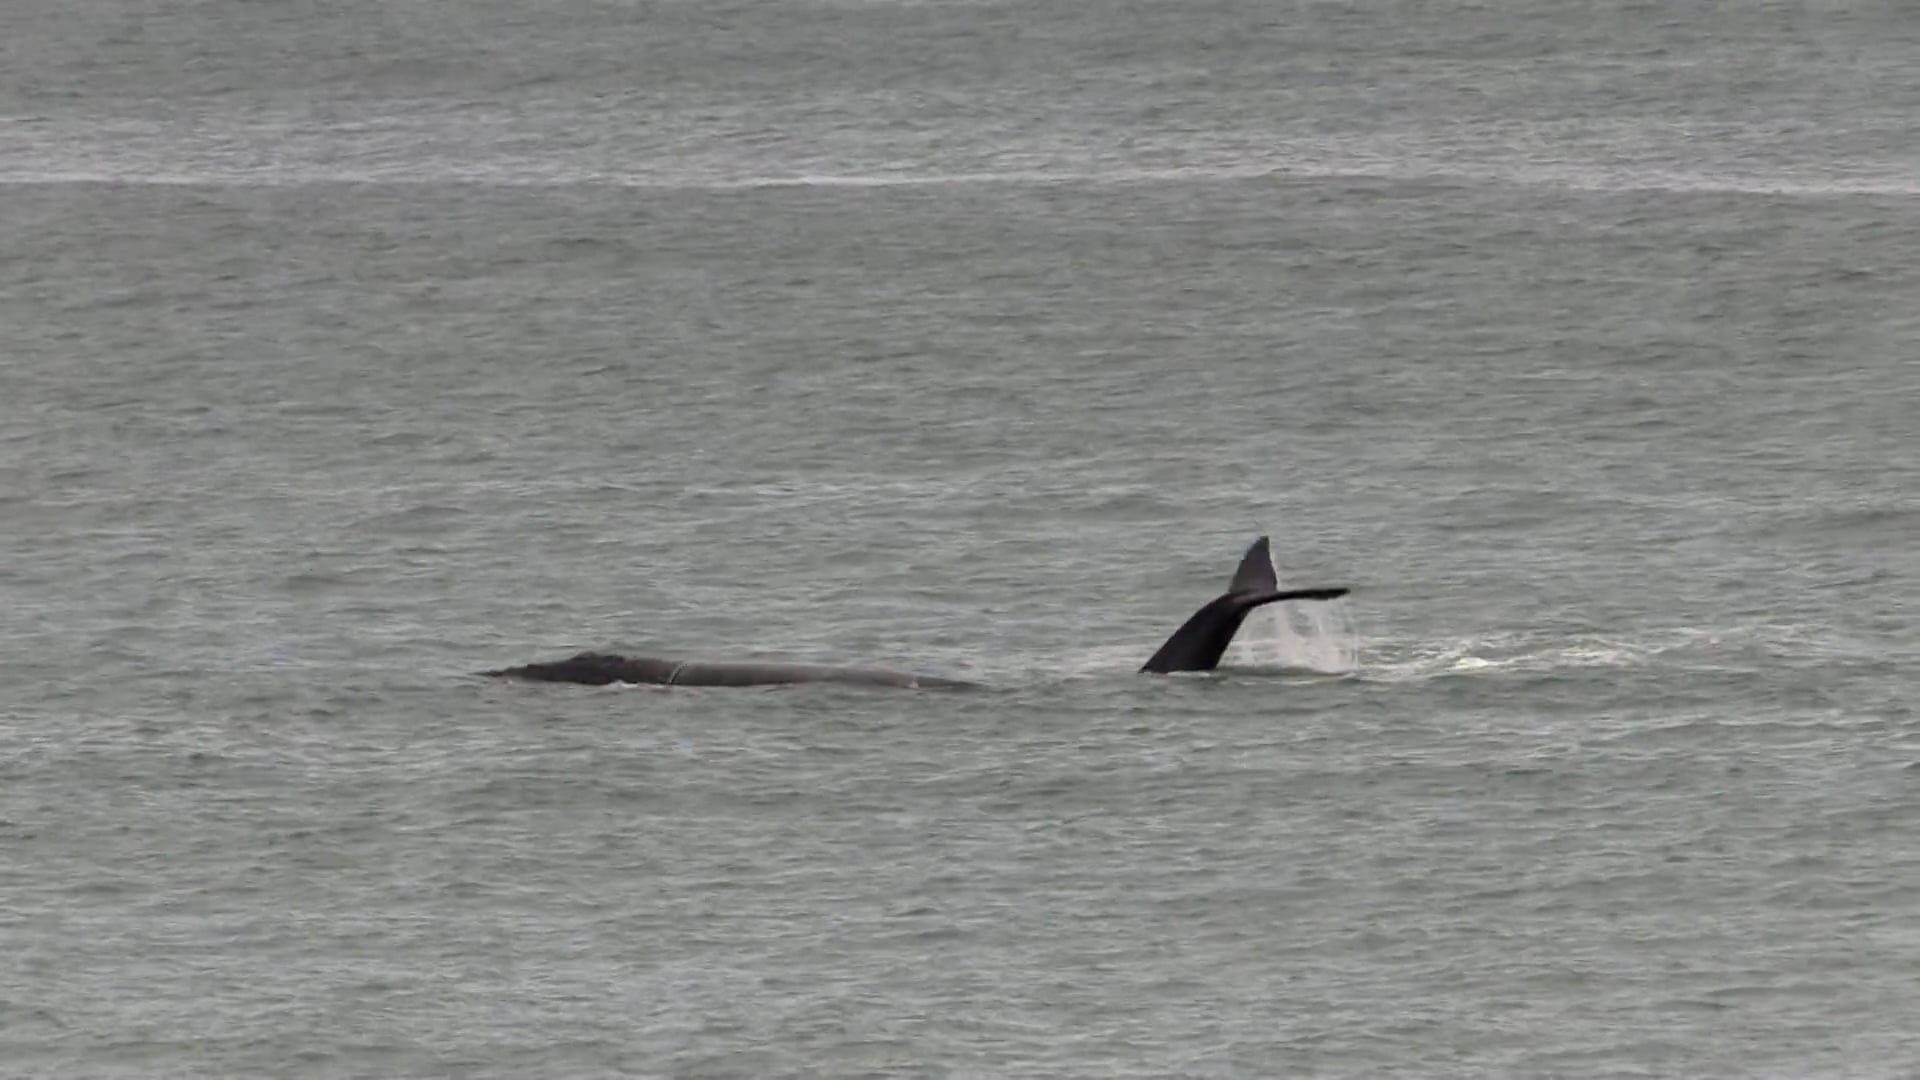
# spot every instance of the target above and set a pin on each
(1195, 647)
